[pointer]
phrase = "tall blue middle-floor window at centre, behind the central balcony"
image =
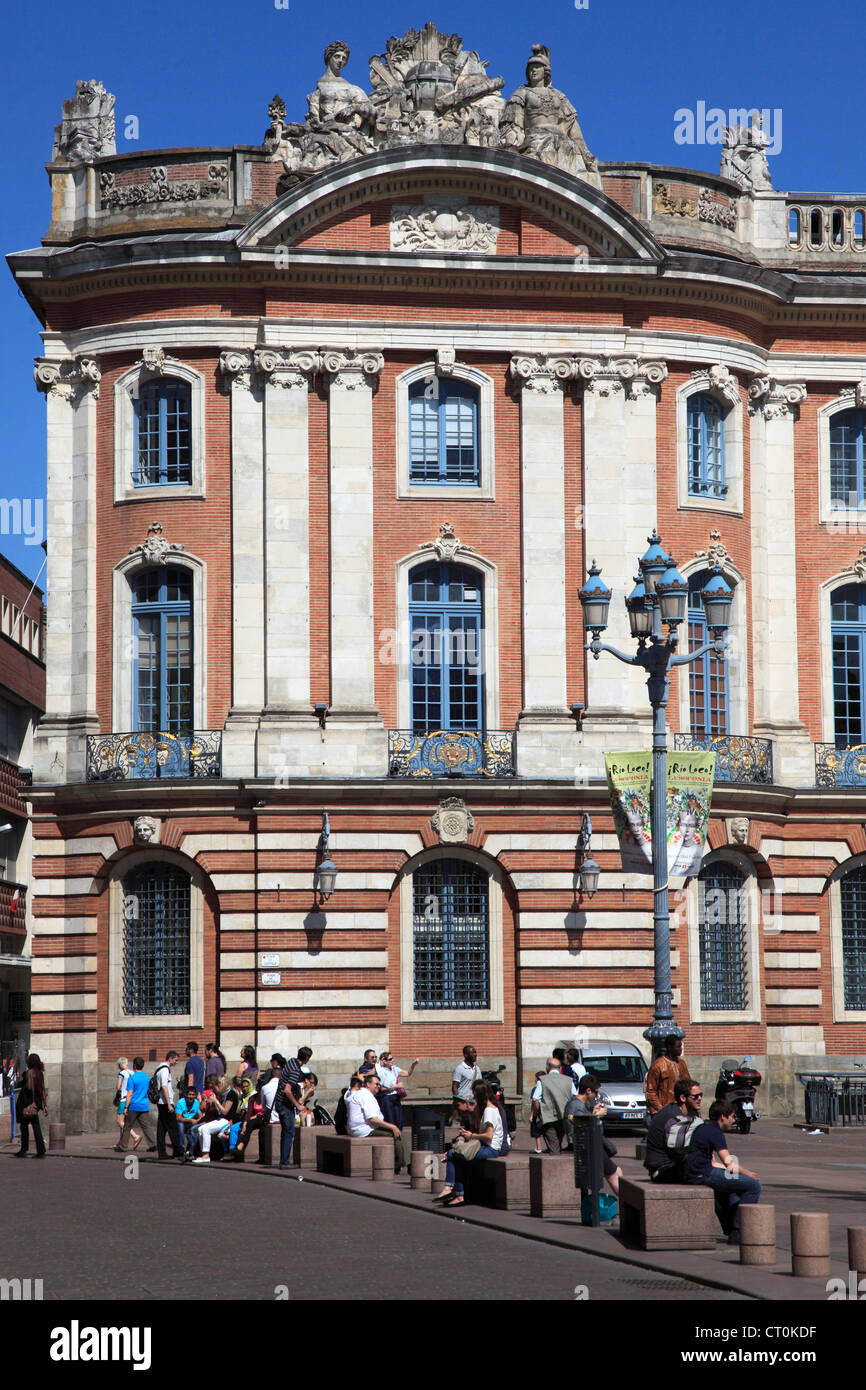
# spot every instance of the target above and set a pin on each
(446, 612)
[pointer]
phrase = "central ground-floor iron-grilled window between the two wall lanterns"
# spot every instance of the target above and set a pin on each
(451, 939)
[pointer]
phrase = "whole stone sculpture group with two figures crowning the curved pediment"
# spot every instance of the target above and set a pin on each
(427, 90)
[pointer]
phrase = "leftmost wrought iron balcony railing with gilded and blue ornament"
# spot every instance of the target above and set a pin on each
(133, 757)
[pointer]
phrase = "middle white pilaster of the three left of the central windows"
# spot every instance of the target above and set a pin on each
(287, 532)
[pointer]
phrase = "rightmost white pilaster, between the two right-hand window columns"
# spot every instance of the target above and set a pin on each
(775, 630)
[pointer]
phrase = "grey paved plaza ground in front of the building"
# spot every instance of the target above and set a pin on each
(229, 1232)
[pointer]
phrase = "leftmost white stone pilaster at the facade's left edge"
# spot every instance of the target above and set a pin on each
(72, 390)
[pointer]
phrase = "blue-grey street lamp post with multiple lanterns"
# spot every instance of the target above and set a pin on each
(661, 596)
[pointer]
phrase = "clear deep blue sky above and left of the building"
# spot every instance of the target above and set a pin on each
(204, 74)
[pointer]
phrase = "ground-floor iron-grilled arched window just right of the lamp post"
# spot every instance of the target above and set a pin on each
(724, 942)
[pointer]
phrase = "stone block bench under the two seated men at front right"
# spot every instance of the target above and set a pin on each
(668, 1216)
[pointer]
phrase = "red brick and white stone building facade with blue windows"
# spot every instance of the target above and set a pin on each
(337, 425)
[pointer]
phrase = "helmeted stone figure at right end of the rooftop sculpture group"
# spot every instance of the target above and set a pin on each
(541, 122)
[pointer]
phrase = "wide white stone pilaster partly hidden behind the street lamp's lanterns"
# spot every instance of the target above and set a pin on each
(621, 511)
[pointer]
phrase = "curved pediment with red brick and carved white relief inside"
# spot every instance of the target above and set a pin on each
(451, 201)
